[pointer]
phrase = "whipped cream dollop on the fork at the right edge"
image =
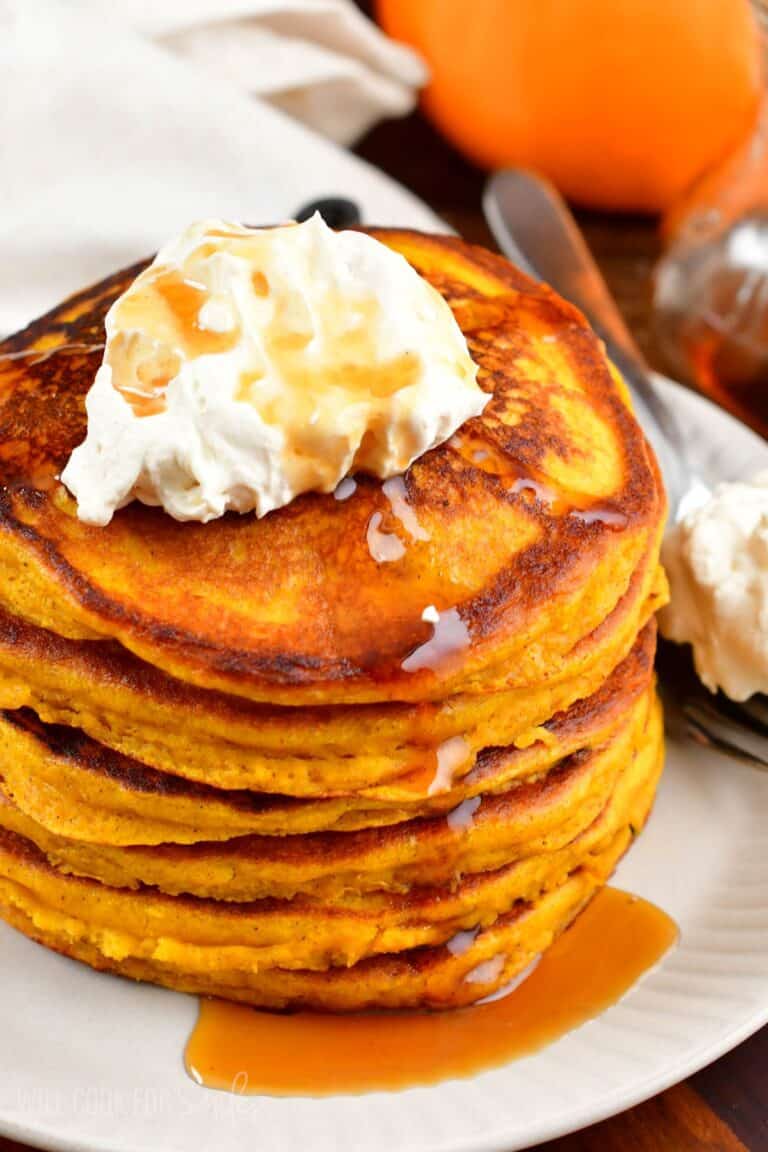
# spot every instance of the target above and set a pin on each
(717, 559)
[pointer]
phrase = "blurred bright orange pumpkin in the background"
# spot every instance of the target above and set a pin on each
(621, 103)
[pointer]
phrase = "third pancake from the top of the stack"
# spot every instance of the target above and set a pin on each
(79, 789)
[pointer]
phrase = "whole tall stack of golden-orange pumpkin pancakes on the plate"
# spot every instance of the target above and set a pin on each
(291, 762)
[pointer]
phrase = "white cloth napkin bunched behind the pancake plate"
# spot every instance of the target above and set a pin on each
(120, 124)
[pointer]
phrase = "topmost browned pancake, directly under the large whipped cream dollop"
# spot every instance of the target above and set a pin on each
(537, 513)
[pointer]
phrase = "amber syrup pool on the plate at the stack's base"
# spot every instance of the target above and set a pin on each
(588, 969)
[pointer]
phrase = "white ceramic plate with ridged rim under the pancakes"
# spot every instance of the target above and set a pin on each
(93, 1063)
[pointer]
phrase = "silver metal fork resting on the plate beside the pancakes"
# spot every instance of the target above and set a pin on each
(535, 229)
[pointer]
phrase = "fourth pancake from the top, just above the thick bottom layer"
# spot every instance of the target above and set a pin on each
(485, 833)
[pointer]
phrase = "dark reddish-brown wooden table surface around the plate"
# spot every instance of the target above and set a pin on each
(724, 1109)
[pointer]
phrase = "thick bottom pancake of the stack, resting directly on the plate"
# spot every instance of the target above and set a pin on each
(363, 958)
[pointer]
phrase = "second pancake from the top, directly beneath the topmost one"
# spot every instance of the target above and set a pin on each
(231, 744)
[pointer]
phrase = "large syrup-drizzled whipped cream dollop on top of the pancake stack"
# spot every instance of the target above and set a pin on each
(245, 367)
